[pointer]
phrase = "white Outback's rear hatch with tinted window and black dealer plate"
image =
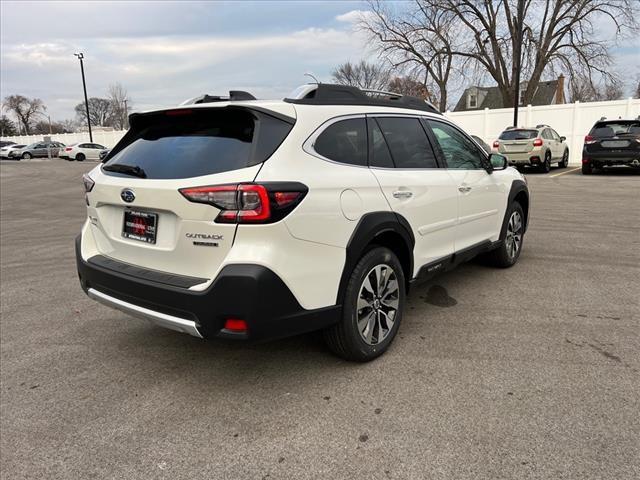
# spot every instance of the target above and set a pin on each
(137, 212)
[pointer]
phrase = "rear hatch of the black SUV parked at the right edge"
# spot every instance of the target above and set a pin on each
(620, 137)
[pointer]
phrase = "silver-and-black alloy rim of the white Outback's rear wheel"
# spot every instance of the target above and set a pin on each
(378, 303)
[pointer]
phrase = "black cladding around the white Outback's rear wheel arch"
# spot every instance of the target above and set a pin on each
(392, 230)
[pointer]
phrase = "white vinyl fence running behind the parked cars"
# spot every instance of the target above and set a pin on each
(572, 120)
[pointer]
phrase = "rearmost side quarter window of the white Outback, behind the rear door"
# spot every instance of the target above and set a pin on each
(344, 141)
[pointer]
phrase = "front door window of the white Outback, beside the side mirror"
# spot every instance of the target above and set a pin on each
(459, 151)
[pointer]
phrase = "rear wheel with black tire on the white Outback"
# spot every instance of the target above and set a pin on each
(345, 339)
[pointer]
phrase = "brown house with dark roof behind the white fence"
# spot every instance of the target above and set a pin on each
(479, 98)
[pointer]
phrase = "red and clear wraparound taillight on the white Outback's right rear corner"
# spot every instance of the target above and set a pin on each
(249, 202)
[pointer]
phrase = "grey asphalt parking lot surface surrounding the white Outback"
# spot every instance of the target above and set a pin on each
(531, 372)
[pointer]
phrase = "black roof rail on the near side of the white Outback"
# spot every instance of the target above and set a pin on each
(329, 94)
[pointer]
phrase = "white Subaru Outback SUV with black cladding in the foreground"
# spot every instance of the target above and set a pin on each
(252, 220)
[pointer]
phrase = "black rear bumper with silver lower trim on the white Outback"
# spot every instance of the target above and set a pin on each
(252, 293)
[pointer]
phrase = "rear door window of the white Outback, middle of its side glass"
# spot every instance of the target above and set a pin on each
(408, 142)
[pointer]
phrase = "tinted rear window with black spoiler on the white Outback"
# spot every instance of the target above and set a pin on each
(190, 143)
